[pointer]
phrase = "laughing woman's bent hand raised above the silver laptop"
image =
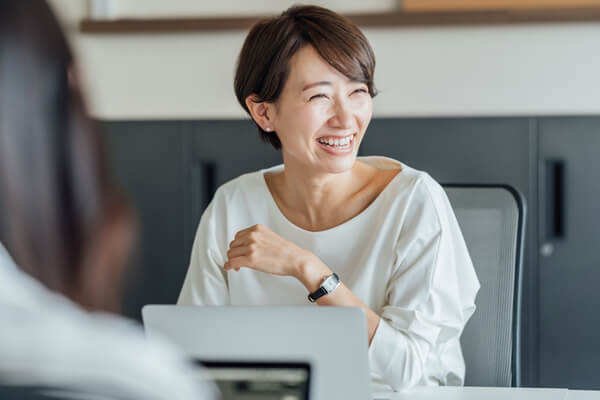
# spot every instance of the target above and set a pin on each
(258, 248)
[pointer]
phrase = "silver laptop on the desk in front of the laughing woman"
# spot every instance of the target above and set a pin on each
(328, 343)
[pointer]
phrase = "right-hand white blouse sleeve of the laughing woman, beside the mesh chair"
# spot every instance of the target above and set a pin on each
(429, 297)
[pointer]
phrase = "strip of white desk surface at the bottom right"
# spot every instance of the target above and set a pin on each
(488, 393)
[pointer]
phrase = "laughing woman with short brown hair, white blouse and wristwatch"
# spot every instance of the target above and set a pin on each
(387, 230)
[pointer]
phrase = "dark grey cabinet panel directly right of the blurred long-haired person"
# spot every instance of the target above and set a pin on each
(147, 163)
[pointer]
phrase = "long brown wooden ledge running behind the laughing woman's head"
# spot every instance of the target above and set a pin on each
(390, 19)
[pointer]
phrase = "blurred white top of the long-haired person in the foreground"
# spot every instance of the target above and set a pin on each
(46, 340)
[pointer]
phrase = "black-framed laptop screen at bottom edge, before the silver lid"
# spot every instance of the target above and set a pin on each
(258, 380)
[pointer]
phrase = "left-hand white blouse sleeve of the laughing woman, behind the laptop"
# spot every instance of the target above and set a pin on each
(206, 281)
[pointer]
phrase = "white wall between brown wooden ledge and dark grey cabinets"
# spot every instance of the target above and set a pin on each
(429, 71)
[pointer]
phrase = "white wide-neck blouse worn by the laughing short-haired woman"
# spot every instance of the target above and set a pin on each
(404, 256)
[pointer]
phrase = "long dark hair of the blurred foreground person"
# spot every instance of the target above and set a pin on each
(54, 187)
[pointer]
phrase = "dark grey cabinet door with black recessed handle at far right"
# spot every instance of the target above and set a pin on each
(569, 262)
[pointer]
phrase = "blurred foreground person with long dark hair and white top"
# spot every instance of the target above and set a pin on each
(69, 233)
